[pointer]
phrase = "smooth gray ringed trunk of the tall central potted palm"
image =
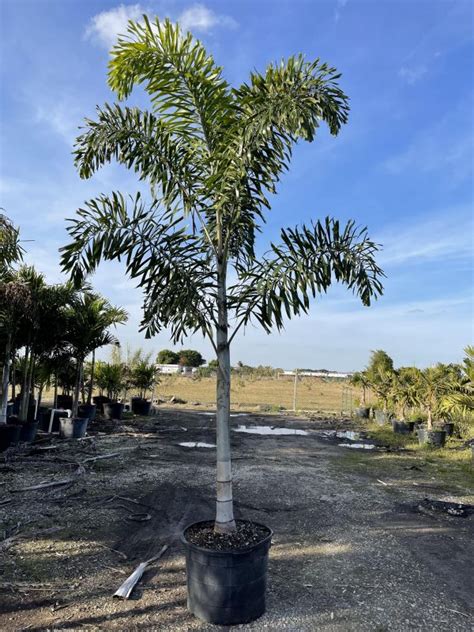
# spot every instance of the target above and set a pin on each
(225, 522)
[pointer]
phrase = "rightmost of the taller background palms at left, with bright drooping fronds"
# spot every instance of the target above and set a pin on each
(89, 318)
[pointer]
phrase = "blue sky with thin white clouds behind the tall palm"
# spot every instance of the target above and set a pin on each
(402, 166)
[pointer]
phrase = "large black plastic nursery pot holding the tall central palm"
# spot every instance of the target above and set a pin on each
(227, 587)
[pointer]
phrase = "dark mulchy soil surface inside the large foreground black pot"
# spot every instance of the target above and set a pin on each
(245, 537)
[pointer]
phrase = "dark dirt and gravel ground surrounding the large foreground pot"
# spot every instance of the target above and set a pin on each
(352, 549)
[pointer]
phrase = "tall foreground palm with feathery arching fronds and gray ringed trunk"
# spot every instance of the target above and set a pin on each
(212, 154)
